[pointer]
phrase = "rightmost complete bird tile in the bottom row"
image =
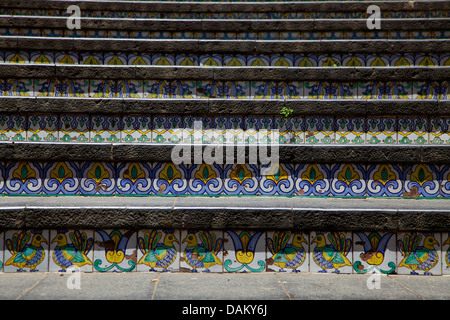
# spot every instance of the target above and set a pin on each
(419, 253)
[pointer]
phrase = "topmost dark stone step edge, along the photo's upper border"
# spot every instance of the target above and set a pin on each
(50, 6)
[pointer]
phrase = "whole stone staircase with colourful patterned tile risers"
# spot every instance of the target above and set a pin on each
(357, 118)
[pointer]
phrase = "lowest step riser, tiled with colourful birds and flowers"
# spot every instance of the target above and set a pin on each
(229, 251)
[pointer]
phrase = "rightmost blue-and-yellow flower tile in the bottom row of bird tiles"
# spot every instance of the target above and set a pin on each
(374, 252)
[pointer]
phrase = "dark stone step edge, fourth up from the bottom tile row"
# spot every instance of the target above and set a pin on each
(352, 74)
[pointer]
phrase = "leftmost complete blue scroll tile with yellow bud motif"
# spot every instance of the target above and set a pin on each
(23, 178)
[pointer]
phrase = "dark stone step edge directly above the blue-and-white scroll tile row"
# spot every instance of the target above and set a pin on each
(367, 154)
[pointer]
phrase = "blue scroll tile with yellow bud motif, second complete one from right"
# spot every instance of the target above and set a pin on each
(384, 180)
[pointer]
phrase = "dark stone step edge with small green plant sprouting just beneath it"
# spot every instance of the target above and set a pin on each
(300, 107)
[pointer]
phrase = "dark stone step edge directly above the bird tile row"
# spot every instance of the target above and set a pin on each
(226, 219)
